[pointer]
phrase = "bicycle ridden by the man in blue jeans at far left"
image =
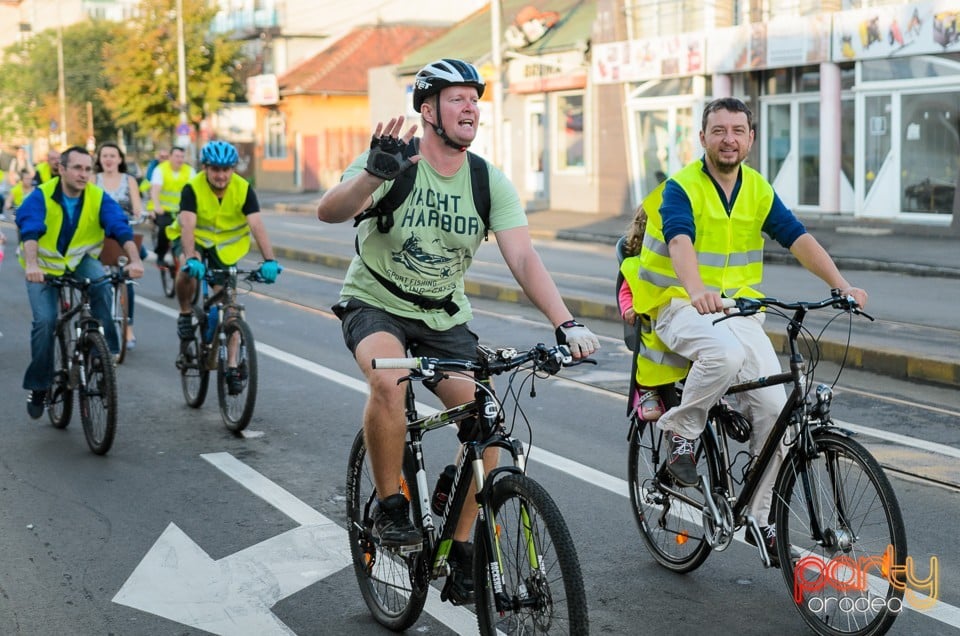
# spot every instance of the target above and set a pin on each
(82, 363)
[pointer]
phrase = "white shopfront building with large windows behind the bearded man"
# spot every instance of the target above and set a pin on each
(856, 108)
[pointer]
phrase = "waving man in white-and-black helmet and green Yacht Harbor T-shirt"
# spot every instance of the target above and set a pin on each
(404, 289)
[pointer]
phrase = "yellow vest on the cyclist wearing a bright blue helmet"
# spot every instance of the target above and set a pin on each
(220, 223)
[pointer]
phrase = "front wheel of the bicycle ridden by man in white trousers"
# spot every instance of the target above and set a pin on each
(840, 538)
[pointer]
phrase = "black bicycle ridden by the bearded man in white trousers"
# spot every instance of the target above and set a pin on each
(840, 533)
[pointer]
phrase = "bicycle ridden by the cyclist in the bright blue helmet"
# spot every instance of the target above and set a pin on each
(222, 342)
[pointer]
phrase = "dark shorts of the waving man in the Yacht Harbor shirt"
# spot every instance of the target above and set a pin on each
(359, 320)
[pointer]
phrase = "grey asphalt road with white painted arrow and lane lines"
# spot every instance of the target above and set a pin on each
(186, 529)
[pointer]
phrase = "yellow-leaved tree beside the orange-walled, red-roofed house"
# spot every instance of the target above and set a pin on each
(143, 73)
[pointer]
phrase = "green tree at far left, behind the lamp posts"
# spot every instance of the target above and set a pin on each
(29, 83)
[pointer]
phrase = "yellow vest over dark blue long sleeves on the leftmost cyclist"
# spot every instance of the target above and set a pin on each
(88, 239)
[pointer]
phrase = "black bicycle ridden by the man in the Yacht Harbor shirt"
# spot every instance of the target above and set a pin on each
(525, 566)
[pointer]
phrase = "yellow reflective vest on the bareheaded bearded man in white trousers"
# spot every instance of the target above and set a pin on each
(729, 249)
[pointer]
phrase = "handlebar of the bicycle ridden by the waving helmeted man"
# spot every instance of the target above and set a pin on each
(488, 362)
